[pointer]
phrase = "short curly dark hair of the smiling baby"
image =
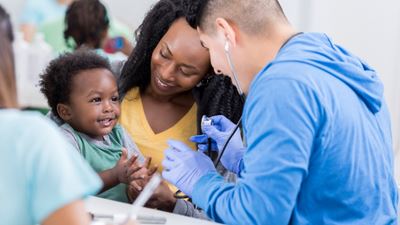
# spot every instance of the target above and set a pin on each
(56, 81)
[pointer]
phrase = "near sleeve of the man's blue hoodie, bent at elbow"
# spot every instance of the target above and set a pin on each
(281, 118)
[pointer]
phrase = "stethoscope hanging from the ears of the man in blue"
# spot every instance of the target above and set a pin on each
(179, 194)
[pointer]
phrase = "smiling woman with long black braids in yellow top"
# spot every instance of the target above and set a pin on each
(168, 84)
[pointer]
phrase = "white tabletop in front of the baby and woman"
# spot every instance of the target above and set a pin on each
(98, 205)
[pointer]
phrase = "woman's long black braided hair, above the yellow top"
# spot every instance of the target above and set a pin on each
(215, 96)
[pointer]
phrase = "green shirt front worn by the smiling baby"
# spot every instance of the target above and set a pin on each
(103, 157)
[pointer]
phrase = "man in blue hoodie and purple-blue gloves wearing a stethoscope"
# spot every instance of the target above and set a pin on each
(315, 123)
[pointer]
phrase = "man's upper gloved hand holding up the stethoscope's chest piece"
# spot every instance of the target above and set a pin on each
(219, 132)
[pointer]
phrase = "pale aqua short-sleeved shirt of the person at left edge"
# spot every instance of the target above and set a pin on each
(40, 172)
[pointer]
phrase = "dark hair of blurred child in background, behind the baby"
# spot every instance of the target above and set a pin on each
(85, 22)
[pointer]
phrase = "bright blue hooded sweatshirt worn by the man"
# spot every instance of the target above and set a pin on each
(319, 144)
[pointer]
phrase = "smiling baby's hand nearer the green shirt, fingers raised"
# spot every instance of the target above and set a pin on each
(123, 165)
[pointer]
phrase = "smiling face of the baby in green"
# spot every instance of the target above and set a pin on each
(94, 102)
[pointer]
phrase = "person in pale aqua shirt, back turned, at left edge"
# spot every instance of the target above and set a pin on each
(36, 168)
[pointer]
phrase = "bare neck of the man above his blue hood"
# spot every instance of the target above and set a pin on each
(262, 50)
